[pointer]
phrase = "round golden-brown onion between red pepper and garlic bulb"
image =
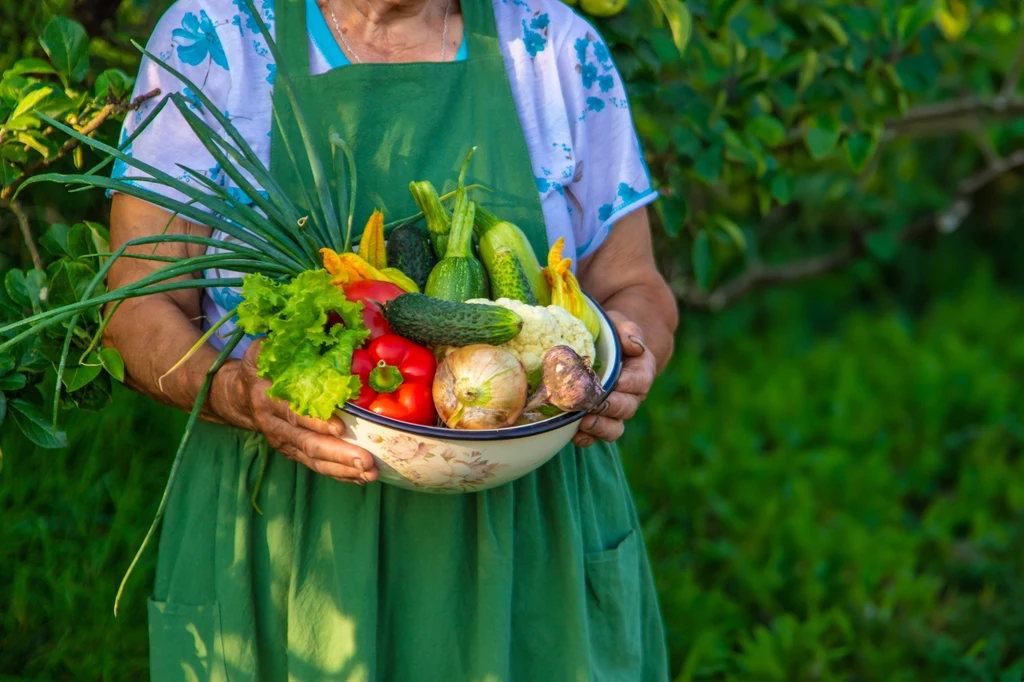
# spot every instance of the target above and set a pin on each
(481, 388)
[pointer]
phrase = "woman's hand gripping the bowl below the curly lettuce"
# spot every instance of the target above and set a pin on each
(311, 442)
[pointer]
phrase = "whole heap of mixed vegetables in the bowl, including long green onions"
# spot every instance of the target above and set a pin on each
(450, 322)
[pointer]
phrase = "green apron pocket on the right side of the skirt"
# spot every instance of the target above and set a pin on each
(614, 612)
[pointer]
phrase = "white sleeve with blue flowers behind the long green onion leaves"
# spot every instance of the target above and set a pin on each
(188, 39)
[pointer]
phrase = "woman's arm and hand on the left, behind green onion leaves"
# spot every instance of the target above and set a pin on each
(153, 333)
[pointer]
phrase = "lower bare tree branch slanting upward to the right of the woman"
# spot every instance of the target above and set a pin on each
(761, 276)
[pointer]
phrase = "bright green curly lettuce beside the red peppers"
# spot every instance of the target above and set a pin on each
(307, 366)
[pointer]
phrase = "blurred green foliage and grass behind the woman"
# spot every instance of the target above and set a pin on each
(846, 501)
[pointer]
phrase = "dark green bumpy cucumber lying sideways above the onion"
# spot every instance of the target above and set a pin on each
(434, 322)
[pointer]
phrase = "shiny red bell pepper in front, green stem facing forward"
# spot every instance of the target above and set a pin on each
(398, 379)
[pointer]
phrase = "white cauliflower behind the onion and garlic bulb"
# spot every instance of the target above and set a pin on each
(543, 329)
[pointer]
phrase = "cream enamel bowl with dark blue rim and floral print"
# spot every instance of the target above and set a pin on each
(431, 459)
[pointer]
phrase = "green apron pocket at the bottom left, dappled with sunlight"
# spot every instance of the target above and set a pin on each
(185, 644)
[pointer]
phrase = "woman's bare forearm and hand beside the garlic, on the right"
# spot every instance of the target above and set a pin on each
(623, 277)
